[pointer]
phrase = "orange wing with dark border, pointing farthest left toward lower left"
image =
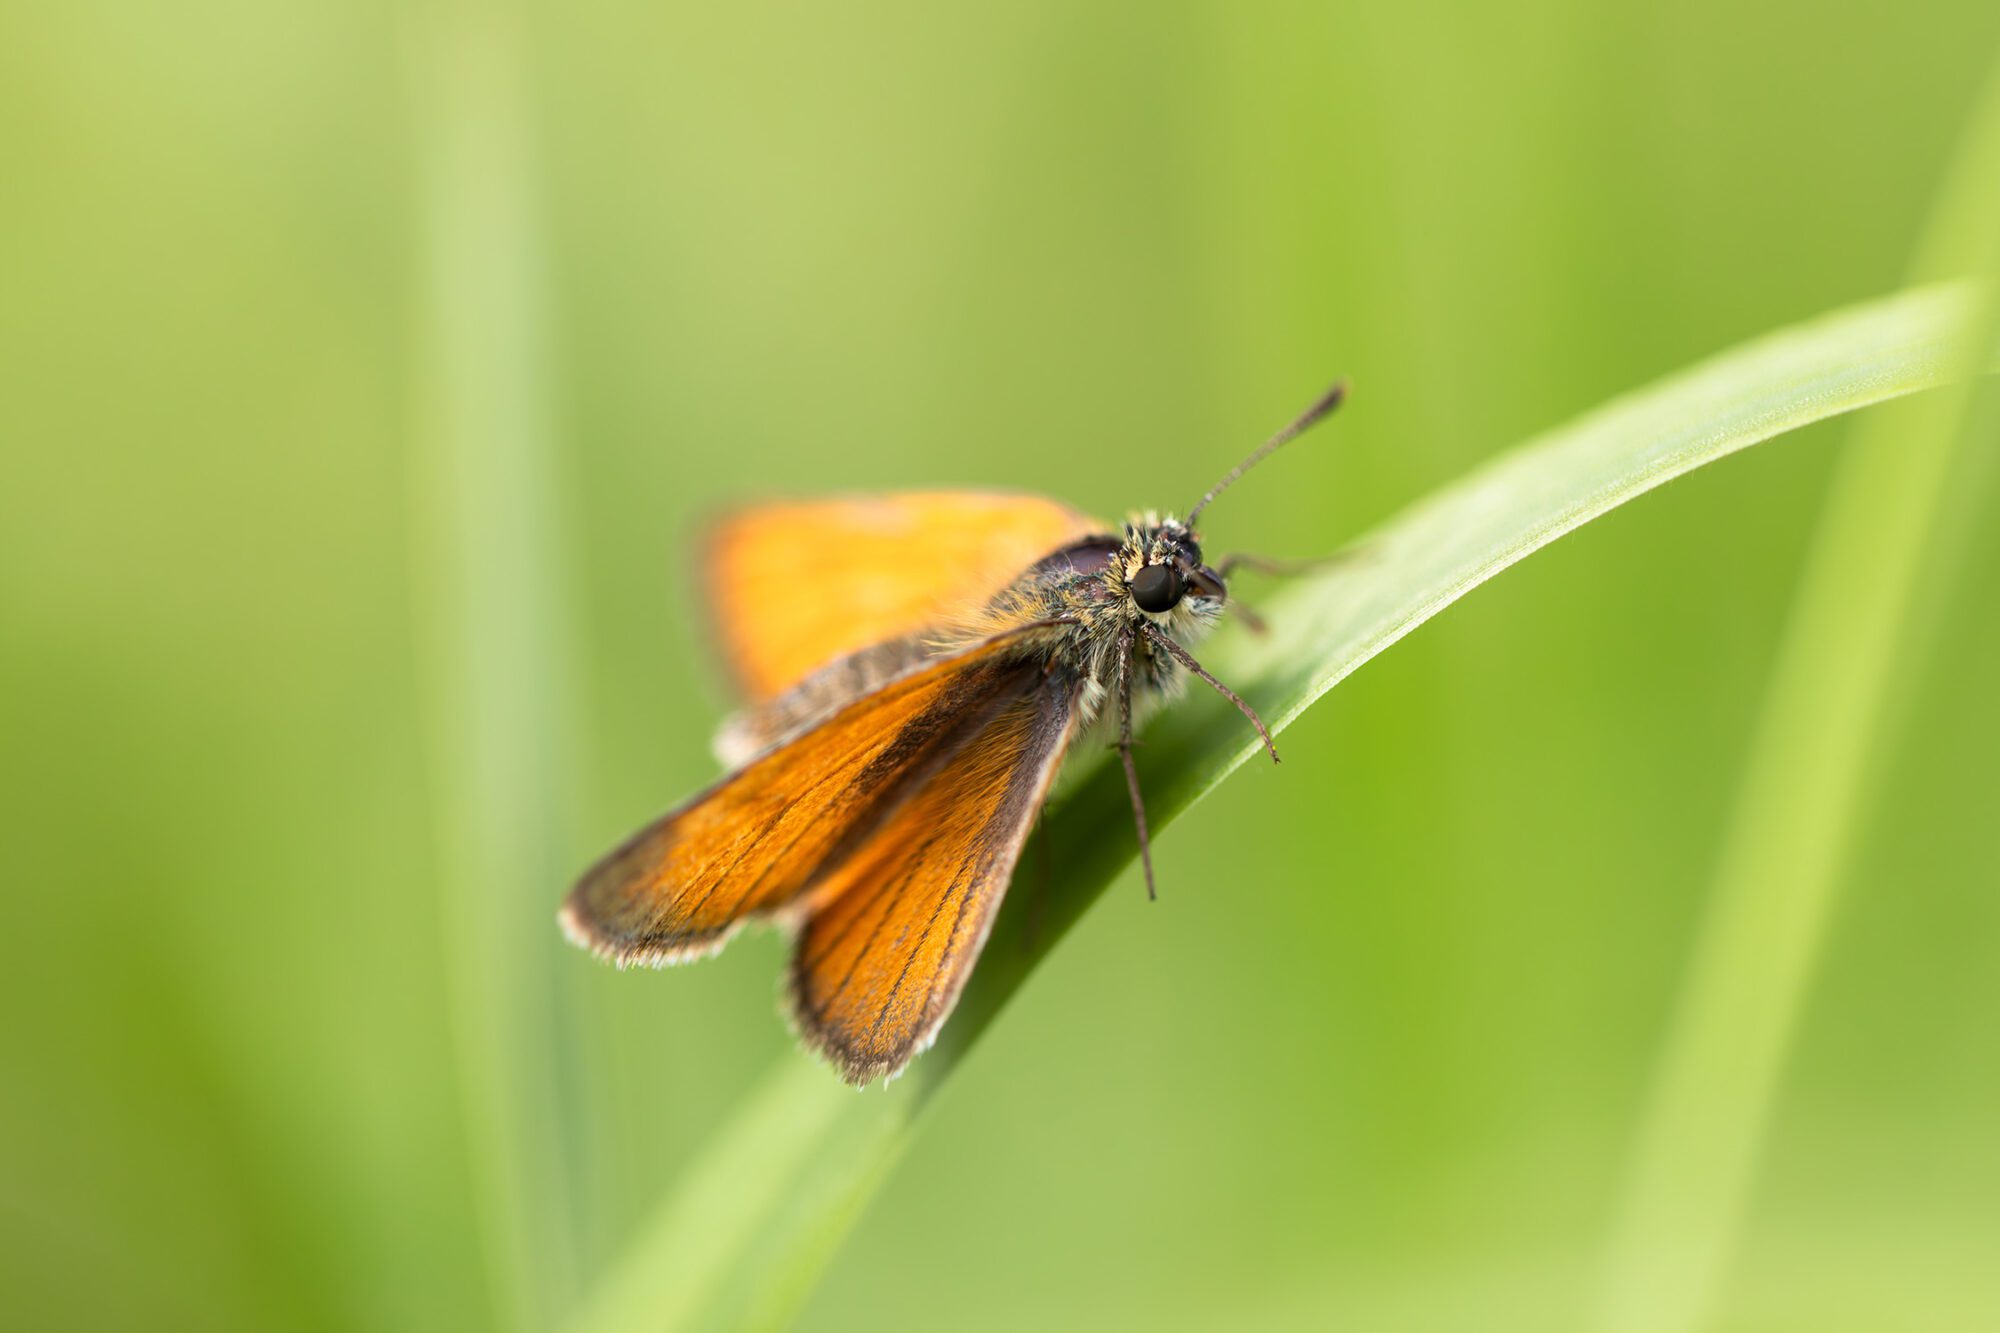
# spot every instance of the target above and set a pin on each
(753, 844)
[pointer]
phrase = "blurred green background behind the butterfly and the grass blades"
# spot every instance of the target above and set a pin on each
(367, 371)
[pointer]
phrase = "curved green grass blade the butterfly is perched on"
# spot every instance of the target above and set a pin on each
(791, 1178)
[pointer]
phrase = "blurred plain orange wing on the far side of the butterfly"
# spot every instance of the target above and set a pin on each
(797, 585)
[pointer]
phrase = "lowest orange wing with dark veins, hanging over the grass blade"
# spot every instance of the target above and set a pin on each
(899, 926)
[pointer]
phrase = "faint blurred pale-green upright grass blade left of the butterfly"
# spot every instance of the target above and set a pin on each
(489, 629)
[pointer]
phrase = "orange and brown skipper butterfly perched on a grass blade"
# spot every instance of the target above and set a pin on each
(917, 668)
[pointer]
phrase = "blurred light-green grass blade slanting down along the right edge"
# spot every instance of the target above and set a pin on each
(1857, 631)
